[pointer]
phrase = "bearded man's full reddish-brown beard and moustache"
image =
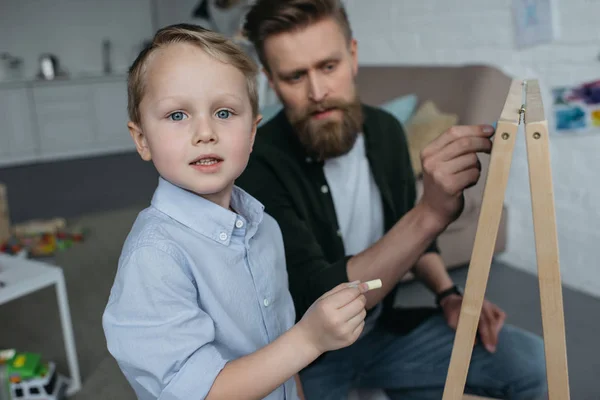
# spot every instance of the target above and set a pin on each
(329, 138)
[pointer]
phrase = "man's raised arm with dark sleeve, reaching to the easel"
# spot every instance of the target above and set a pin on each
(450, 165)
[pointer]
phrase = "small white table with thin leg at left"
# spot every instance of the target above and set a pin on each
(21, 277)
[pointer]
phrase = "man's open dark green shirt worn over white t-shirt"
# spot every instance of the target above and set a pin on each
(289, 183)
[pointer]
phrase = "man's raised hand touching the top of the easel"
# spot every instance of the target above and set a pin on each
(450, 165)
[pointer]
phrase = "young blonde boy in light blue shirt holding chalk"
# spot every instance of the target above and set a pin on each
(200, 306)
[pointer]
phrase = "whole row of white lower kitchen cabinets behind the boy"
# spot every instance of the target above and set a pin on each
(45, 121)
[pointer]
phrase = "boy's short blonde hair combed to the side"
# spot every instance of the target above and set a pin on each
(213, 43)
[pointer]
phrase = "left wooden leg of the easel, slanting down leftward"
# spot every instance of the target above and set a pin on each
(485, 241)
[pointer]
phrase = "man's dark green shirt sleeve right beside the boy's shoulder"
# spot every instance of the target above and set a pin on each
(310, 273)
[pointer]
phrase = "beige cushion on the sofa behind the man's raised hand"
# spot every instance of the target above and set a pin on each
(426, 125)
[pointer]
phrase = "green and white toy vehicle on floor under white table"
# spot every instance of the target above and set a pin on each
(31, 379)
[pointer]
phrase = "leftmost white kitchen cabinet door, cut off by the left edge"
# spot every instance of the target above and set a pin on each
(18, 138)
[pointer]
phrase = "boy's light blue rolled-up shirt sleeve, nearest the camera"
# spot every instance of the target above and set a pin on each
(161, 339)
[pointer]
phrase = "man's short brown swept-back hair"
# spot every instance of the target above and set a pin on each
(270, 17)
